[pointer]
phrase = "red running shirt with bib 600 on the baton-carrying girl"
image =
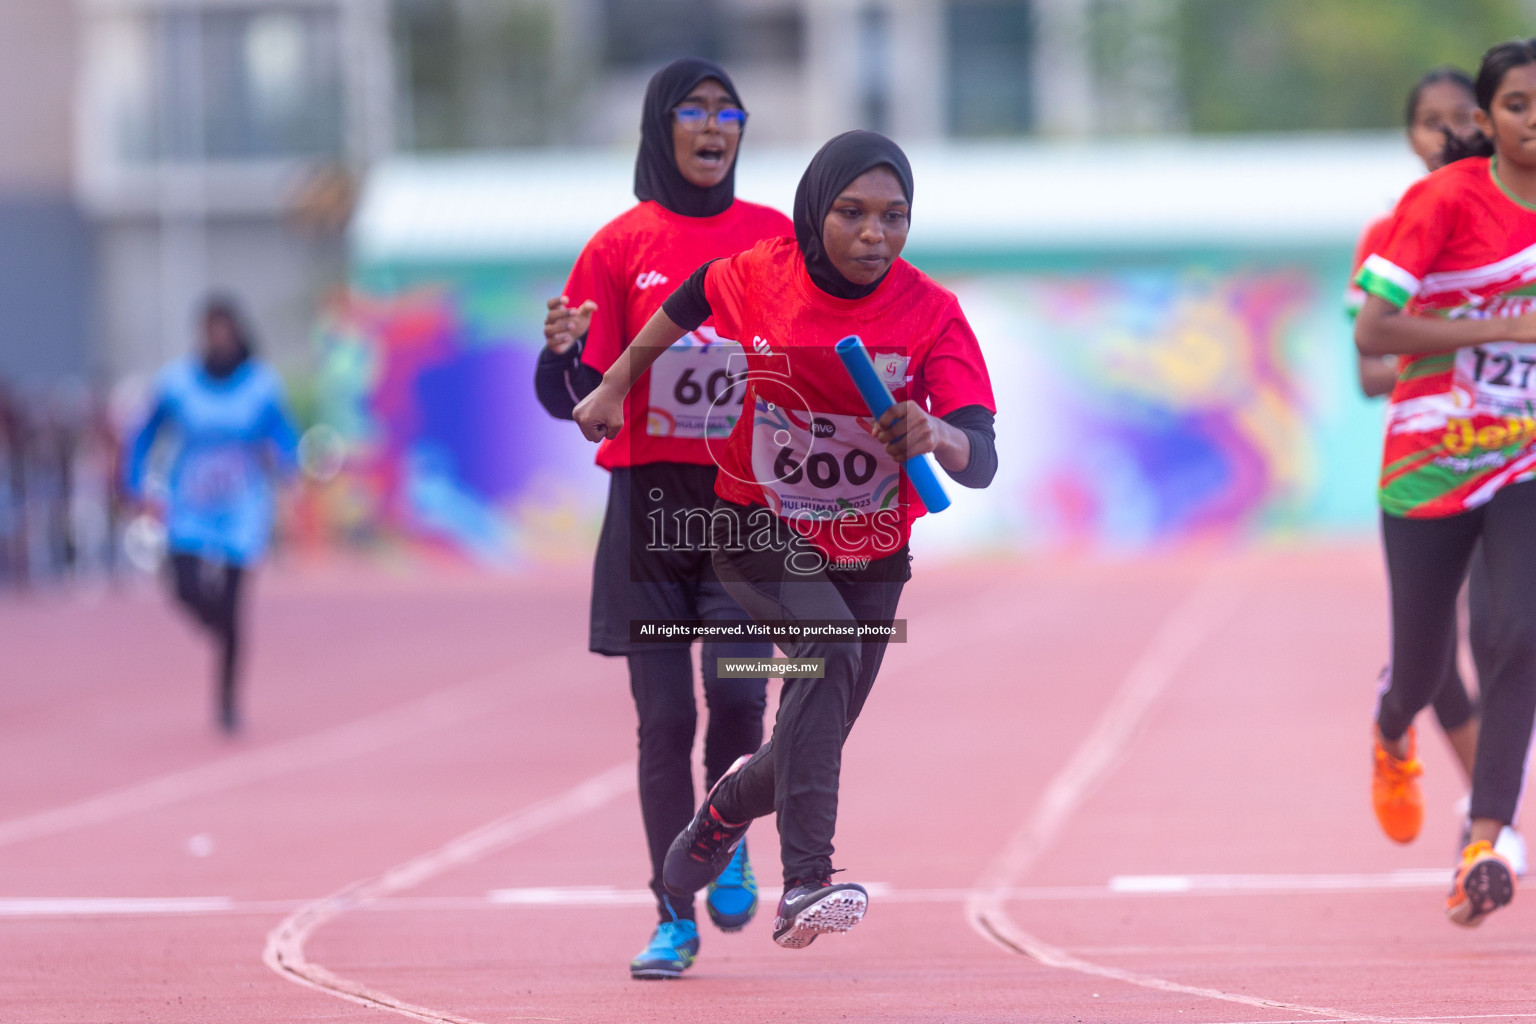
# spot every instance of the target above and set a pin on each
(806, 449)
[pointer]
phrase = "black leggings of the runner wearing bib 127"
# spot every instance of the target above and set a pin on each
(1426, 563)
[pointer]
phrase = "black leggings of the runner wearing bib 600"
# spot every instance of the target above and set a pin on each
(796, 773)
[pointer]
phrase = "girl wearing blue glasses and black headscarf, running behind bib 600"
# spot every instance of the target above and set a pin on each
(661, 471)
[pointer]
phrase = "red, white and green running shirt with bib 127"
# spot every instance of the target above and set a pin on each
(1462, 424)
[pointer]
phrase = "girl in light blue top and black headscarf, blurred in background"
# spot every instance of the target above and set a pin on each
(230, 437)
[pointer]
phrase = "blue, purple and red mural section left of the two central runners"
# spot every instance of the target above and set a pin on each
(443, 440)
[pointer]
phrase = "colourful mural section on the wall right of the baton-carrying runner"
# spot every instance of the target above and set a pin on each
(1170, 403)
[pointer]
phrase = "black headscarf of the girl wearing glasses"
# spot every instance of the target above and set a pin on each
(657, 176)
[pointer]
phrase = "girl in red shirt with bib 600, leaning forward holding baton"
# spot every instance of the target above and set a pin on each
(815, 512)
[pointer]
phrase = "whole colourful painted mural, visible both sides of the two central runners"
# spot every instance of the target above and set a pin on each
(1140, 405)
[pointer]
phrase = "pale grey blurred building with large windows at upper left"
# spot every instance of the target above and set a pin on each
(217, 148)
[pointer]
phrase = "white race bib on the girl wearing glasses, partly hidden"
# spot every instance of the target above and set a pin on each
(694, 392)
